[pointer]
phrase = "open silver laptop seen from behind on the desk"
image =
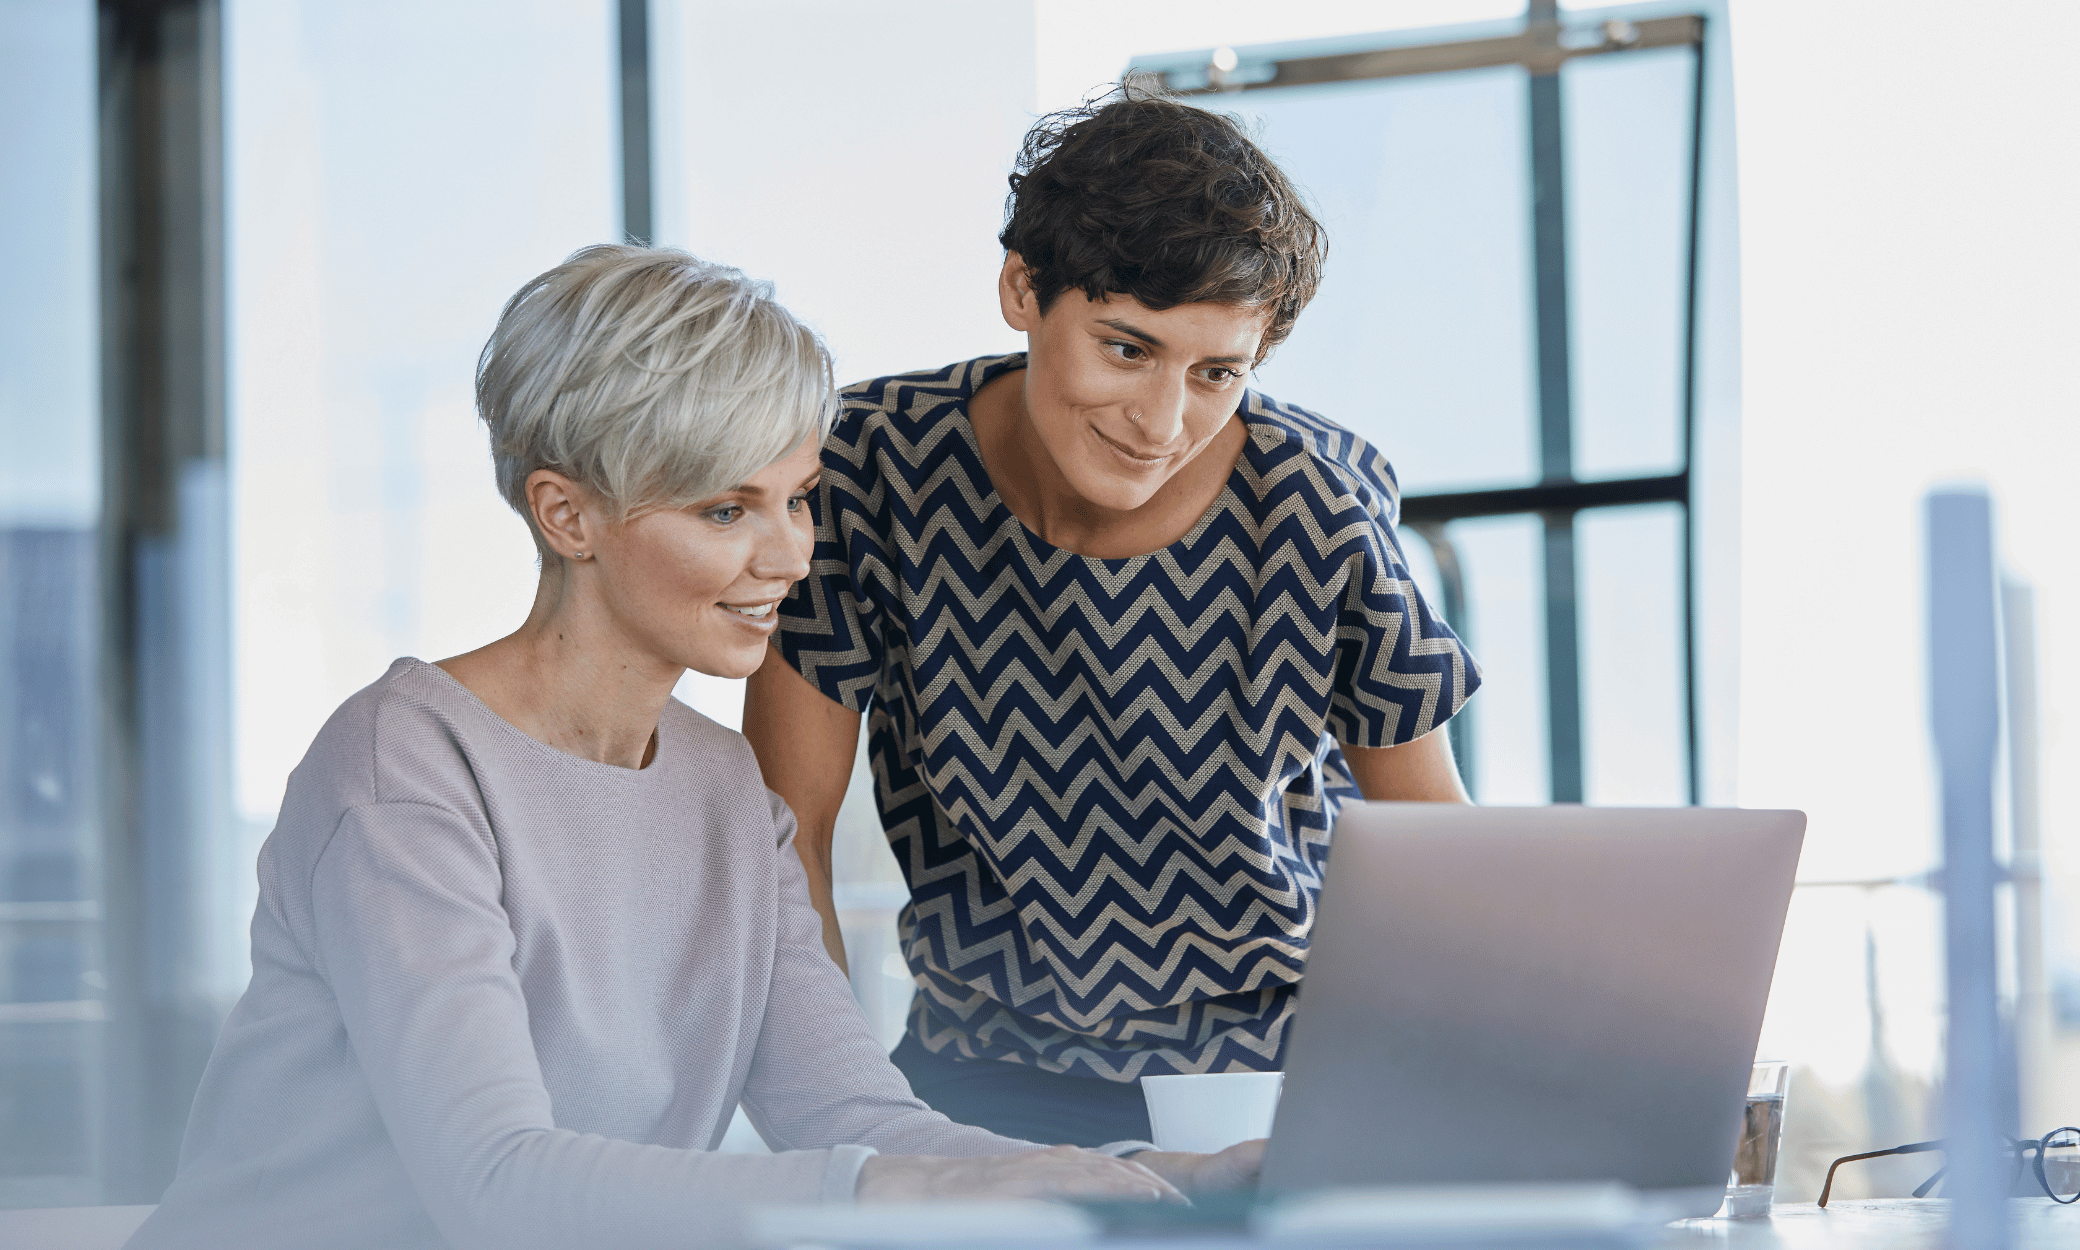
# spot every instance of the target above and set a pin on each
(1534, 995)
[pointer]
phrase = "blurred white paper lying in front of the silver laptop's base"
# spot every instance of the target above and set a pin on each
(1442, 1212)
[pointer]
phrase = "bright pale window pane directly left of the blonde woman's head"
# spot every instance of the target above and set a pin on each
(396, 172)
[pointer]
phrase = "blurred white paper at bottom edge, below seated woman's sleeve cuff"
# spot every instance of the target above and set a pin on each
(920, 1224)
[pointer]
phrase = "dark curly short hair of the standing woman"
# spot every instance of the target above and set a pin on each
(1139, 194)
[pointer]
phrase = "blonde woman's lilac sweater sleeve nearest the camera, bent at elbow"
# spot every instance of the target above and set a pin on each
(417, 947)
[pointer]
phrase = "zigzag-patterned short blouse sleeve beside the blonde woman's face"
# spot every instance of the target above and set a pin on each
(831, 623)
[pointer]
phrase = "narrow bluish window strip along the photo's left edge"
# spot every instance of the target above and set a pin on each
(51, 904)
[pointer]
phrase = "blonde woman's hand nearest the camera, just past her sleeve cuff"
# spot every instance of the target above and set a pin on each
(1058, 1172)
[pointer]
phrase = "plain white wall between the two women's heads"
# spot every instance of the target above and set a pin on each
(856, 157)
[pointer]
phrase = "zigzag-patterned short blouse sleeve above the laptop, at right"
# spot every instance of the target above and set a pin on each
(1401, 671)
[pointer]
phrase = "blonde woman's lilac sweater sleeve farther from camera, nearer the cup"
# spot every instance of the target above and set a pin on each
(818, 1074)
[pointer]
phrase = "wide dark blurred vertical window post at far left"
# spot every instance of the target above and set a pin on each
(165, 558)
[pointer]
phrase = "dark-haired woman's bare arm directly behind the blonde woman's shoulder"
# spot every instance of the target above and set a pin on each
(806, 746)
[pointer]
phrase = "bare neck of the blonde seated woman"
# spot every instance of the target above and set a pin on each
(571, 679)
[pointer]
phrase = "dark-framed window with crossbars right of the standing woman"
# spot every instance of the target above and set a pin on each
(1513, 315)
